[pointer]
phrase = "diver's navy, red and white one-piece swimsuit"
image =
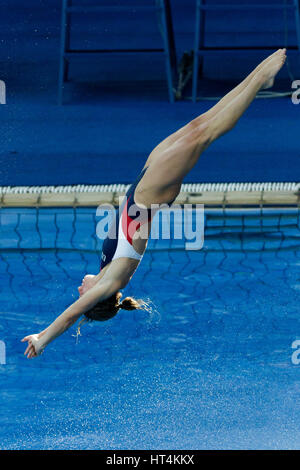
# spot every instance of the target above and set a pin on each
(118, 243)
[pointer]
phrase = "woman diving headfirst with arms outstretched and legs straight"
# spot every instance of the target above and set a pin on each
(158, 183)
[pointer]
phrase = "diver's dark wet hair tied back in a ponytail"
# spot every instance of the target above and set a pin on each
(110, 307)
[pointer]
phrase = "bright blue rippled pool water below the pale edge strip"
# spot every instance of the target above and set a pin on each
(209, 368)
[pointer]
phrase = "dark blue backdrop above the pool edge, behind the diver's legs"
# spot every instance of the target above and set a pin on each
(108, 126)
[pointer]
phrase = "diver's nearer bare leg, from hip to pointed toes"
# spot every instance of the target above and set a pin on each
(162, 181)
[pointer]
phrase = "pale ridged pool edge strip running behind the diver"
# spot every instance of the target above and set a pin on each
(219, 194)
